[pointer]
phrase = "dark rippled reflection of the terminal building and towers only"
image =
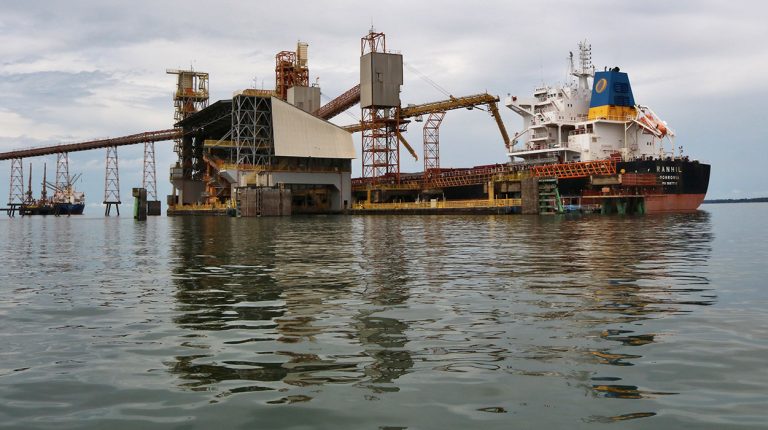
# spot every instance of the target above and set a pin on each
(252, 288)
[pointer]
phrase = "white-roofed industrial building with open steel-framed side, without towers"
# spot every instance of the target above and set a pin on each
(258, 141)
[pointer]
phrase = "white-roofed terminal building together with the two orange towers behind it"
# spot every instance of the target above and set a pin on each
(262, 152)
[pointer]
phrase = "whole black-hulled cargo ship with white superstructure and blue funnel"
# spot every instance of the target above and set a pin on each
(585, 146)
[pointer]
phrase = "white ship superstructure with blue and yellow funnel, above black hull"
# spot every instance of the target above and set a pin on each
(574, 122)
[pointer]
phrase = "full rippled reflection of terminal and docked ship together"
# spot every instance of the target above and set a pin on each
(285, 309)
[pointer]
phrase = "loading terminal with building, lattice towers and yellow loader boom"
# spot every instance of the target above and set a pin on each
(274, 152)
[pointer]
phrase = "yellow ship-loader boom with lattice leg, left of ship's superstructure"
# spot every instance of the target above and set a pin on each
(435, 109)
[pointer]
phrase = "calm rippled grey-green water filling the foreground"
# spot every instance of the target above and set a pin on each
(386, 322)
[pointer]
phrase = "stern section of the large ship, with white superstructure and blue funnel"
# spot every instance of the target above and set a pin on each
(628, 151)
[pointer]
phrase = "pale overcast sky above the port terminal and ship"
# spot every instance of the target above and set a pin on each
(79, 70)
